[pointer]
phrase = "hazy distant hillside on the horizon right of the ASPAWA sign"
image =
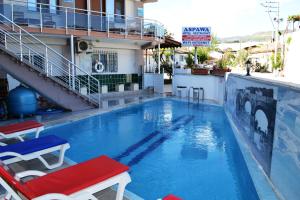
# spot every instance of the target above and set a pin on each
(258, 37)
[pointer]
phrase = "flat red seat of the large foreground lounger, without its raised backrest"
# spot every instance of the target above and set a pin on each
(75, 178)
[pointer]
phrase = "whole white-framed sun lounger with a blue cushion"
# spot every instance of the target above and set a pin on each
(34, 149)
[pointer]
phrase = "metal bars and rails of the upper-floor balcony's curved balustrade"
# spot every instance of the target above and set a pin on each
(143, 26)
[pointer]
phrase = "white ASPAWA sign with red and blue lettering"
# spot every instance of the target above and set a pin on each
(196, 36)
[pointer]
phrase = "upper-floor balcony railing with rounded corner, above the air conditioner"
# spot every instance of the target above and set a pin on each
(48, 16)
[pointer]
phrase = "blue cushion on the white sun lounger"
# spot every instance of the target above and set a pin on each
(31, 146)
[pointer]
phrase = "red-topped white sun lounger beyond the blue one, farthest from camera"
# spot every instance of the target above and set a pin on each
(18, 130)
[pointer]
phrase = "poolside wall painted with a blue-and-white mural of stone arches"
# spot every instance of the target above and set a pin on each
(269, 117)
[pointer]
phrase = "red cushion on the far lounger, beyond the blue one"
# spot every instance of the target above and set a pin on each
(22, 126)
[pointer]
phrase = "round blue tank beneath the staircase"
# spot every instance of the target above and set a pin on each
(22, 101)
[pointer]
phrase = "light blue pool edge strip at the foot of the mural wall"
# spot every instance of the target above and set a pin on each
(263, 185)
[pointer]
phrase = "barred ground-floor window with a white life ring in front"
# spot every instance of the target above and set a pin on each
(107, 59)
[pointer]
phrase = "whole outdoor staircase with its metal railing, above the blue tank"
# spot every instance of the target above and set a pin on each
(37, 65)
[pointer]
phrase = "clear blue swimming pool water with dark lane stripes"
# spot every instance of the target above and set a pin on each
(171, 147)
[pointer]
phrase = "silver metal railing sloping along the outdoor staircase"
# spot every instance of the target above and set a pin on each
(29, 49)
